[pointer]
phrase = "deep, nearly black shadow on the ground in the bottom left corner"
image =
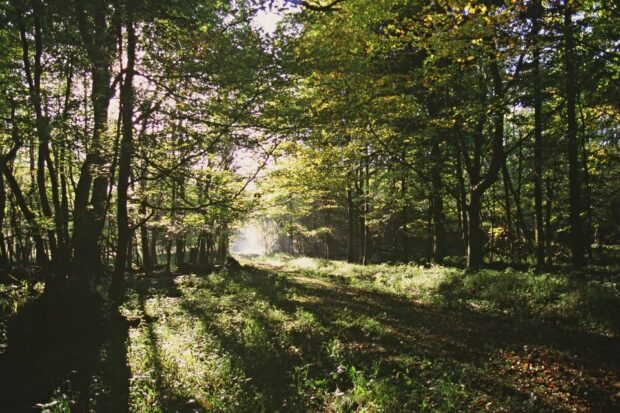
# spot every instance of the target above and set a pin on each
(67, 345)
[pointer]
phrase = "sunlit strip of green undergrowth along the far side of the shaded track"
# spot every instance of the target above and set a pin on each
(590, 303)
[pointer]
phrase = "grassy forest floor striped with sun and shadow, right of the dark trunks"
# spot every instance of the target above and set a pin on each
(297, 334)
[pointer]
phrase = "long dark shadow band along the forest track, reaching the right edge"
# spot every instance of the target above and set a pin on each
(459, 332)
